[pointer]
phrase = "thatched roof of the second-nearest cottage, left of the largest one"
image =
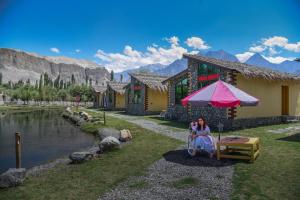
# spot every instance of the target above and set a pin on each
(153, 81)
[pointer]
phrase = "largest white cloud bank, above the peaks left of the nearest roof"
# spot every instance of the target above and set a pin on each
(131, 58)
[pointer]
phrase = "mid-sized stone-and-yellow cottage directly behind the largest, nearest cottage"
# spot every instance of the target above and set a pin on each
(145, 94)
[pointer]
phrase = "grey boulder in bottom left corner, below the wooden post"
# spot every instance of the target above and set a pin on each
(12, 177)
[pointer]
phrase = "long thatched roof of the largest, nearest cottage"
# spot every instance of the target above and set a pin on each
(249, 71)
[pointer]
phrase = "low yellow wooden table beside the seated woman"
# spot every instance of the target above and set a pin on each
(238, 148)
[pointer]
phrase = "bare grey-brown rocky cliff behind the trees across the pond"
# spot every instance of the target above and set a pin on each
(16, 65)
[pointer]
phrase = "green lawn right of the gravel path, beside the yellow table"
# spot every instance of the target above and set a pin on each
(276, 172)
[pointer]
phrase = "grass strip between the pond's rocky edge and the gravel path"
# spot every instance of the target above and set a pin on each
(91, 179)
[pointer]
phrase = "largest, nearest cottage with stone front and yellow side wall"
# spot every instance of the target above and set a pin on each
(279, 93)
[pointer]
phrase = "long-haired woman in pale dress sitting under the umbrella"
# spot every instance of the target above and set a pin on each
(202, 140)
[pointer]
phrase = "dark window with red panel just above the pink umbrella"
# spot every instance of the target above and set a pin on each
(207, 75)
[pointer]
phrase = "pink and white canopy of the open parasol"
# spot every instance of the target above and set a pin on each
(220, 94)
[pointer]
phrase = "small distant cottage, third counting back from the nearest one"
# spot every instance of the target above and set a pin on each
(115, 96)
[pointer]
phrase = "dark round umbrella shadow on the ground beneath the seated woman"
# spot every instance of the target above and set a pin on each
(183, 158)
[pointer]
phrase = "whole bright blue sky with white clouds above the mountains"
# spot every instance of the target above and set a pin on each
(125, 34)
